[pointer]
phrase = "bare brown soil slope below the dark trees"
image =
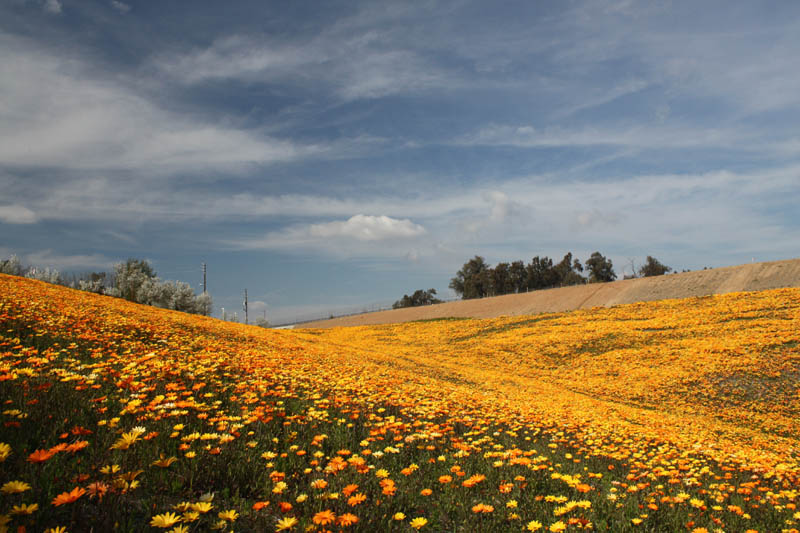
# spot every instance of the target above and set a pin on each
(749, 277)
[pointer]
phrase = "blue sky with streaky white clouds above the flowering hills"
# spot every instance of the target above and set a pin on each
(330, 157)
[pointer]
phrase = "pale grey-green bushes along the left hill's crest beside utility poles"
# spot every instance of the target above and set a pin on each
(134, 280)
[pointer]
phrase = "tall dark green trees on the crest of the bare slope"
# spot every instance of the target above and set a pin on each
(477, 279)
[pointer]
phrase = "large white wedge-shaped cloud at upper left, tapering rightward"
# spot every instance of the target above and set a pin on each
(57, 112)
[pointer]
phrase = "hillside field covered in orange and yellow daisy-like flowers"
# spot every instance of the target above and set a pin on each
(680, 415)
